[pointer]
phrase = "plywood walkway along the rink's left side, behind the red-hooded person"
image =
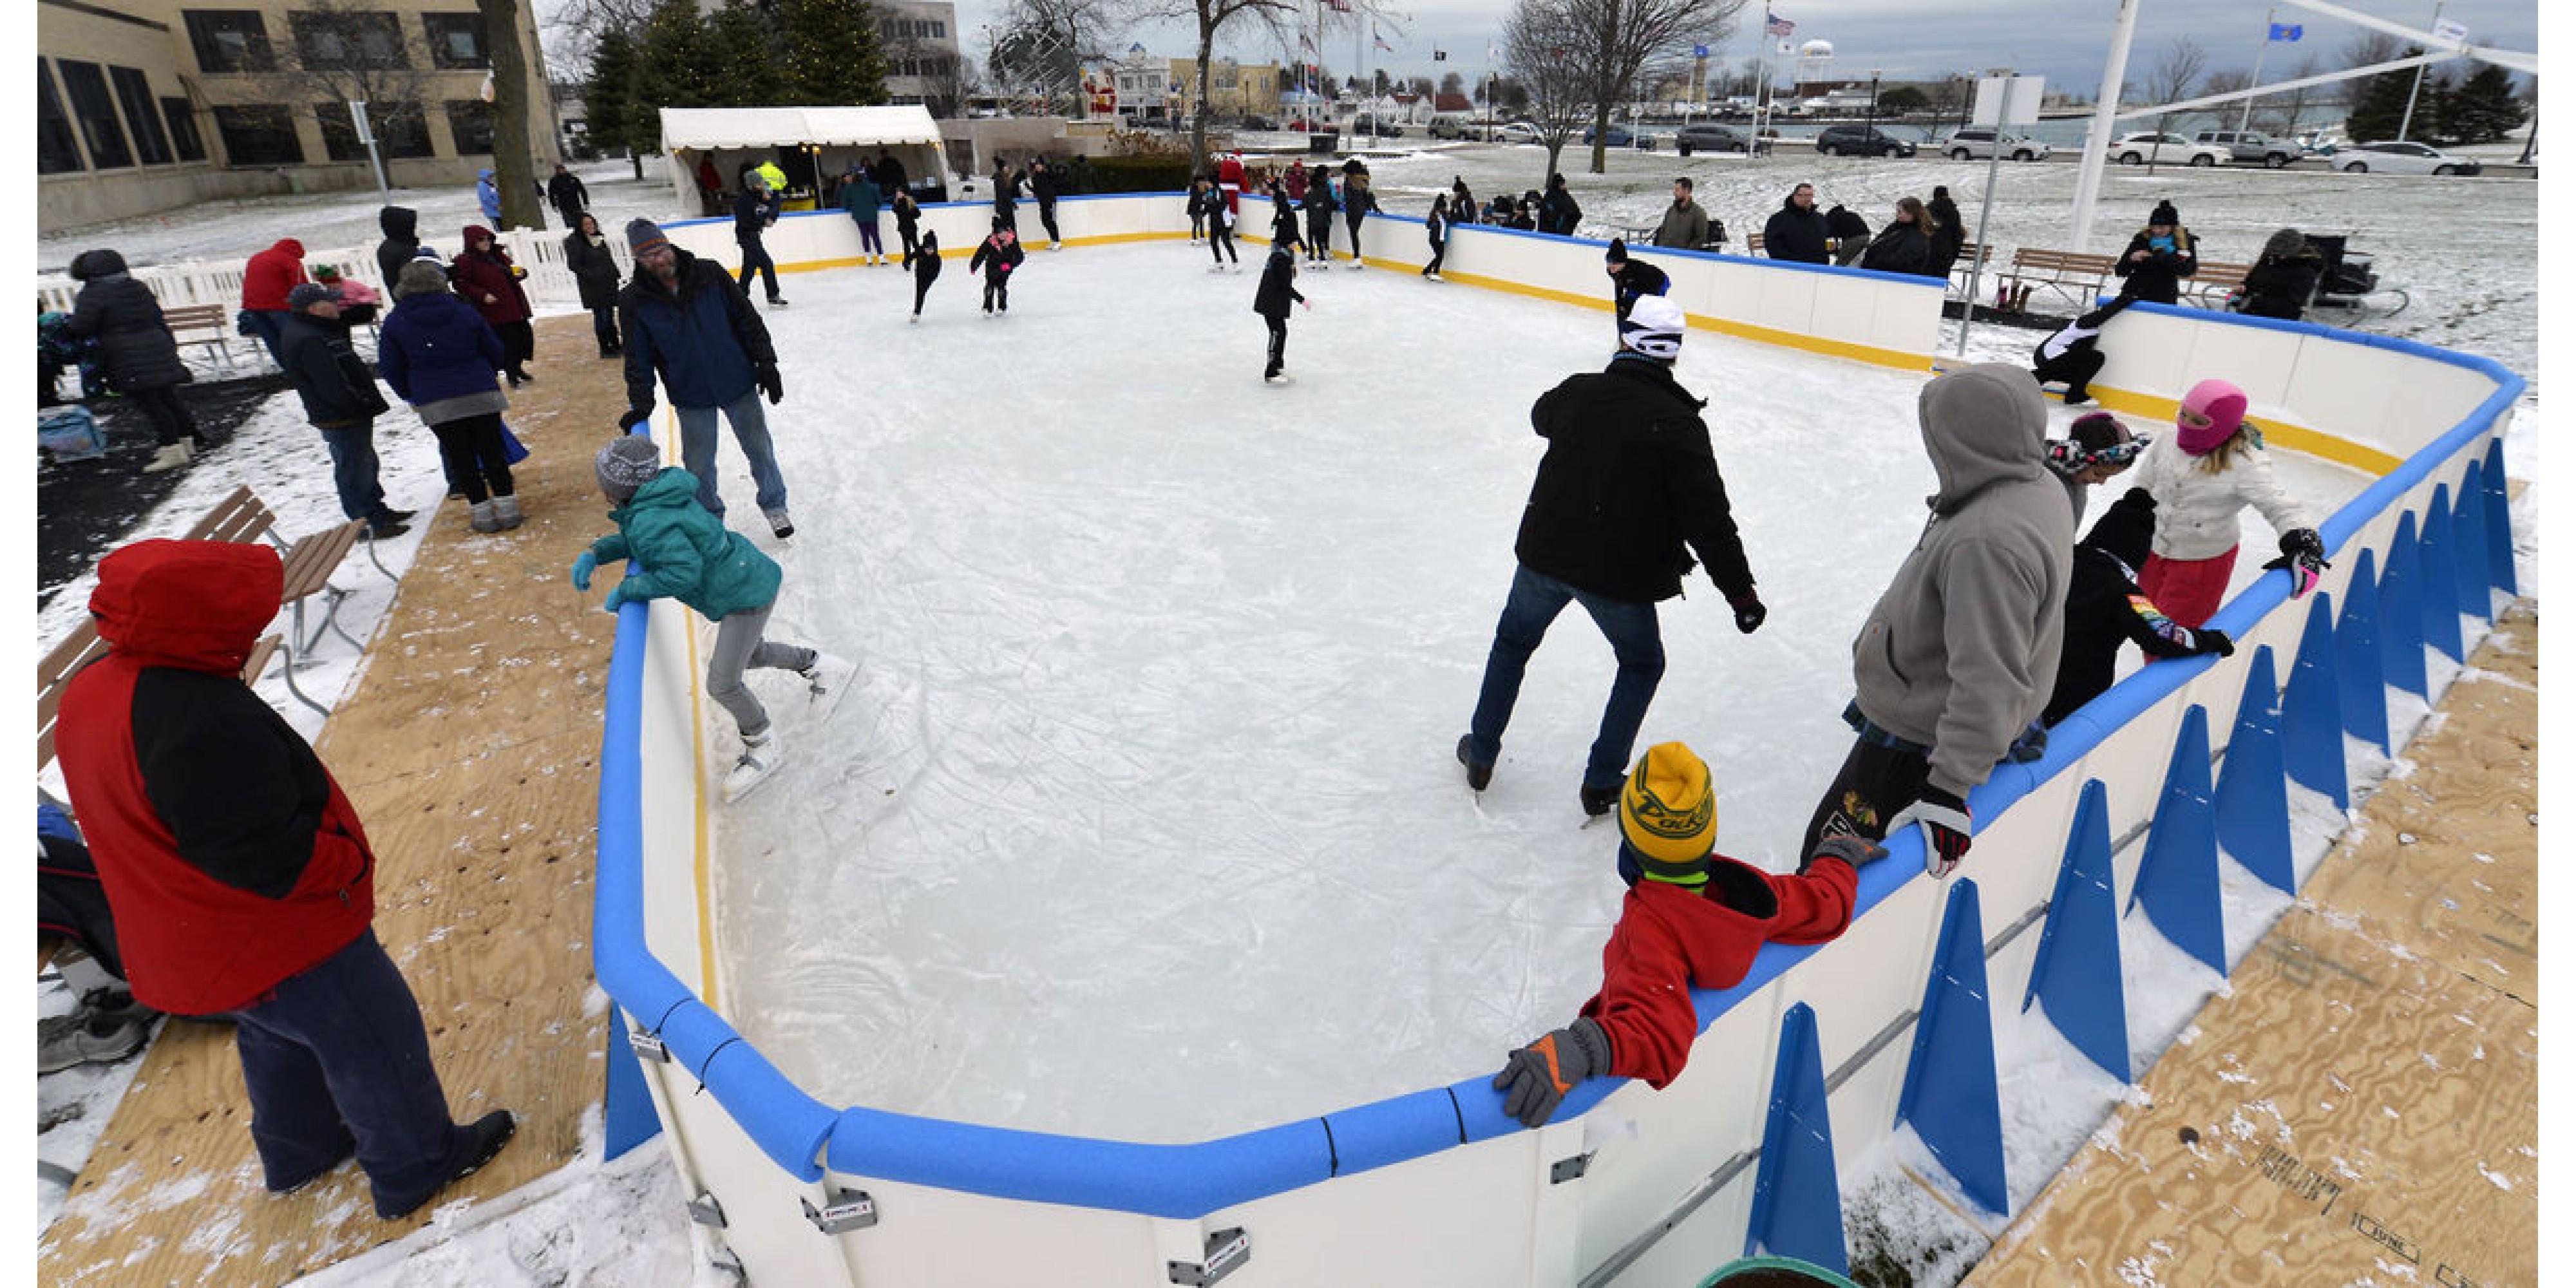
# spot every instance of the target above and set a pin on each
(470, 748)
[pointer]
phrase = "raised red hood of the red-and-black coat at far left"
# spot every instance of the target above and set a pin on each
(187, 604)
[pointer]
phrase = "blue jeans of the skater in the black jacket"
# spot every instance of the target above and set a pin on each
(1634, 640)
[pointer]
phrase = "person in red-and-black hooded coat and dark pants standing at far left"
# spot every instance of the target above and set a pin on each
(241, 880)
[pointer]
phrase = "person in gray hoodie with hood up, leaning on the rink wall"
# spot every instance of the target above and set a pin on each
(1962, 650)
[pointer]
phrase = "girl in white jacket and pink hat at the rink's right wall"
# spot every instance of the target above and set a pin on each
(2201, 478)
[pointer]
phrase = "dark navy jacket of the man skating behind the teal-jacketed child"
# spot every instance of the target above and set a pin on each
(702, 336)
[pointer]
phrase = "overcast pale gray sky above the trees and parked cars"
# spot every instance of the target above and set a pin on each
(1908, 40)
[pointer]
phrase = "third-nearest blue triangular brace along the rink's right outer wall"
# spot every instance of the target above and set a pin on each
(2078, 970)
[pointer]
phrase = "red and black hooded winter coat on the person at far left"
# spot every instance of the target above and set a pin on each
(231, 854)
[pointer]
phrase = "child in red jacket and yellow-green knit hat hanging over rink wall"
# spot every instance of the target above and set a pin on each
(1694, 921)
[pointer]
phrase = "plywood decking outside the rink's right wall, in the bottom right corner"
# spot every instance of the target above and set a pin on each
(2363, 1106)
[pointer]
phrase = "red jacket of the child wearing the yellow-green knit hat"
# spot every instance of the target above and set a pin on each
(1676, 939)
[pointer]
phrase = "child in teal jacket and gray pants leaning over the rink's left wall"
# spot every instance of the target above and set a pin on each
(687, 553)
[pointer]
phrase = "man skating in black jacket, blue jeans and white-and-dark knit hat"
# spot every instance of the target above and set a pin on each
(1629, 480)
